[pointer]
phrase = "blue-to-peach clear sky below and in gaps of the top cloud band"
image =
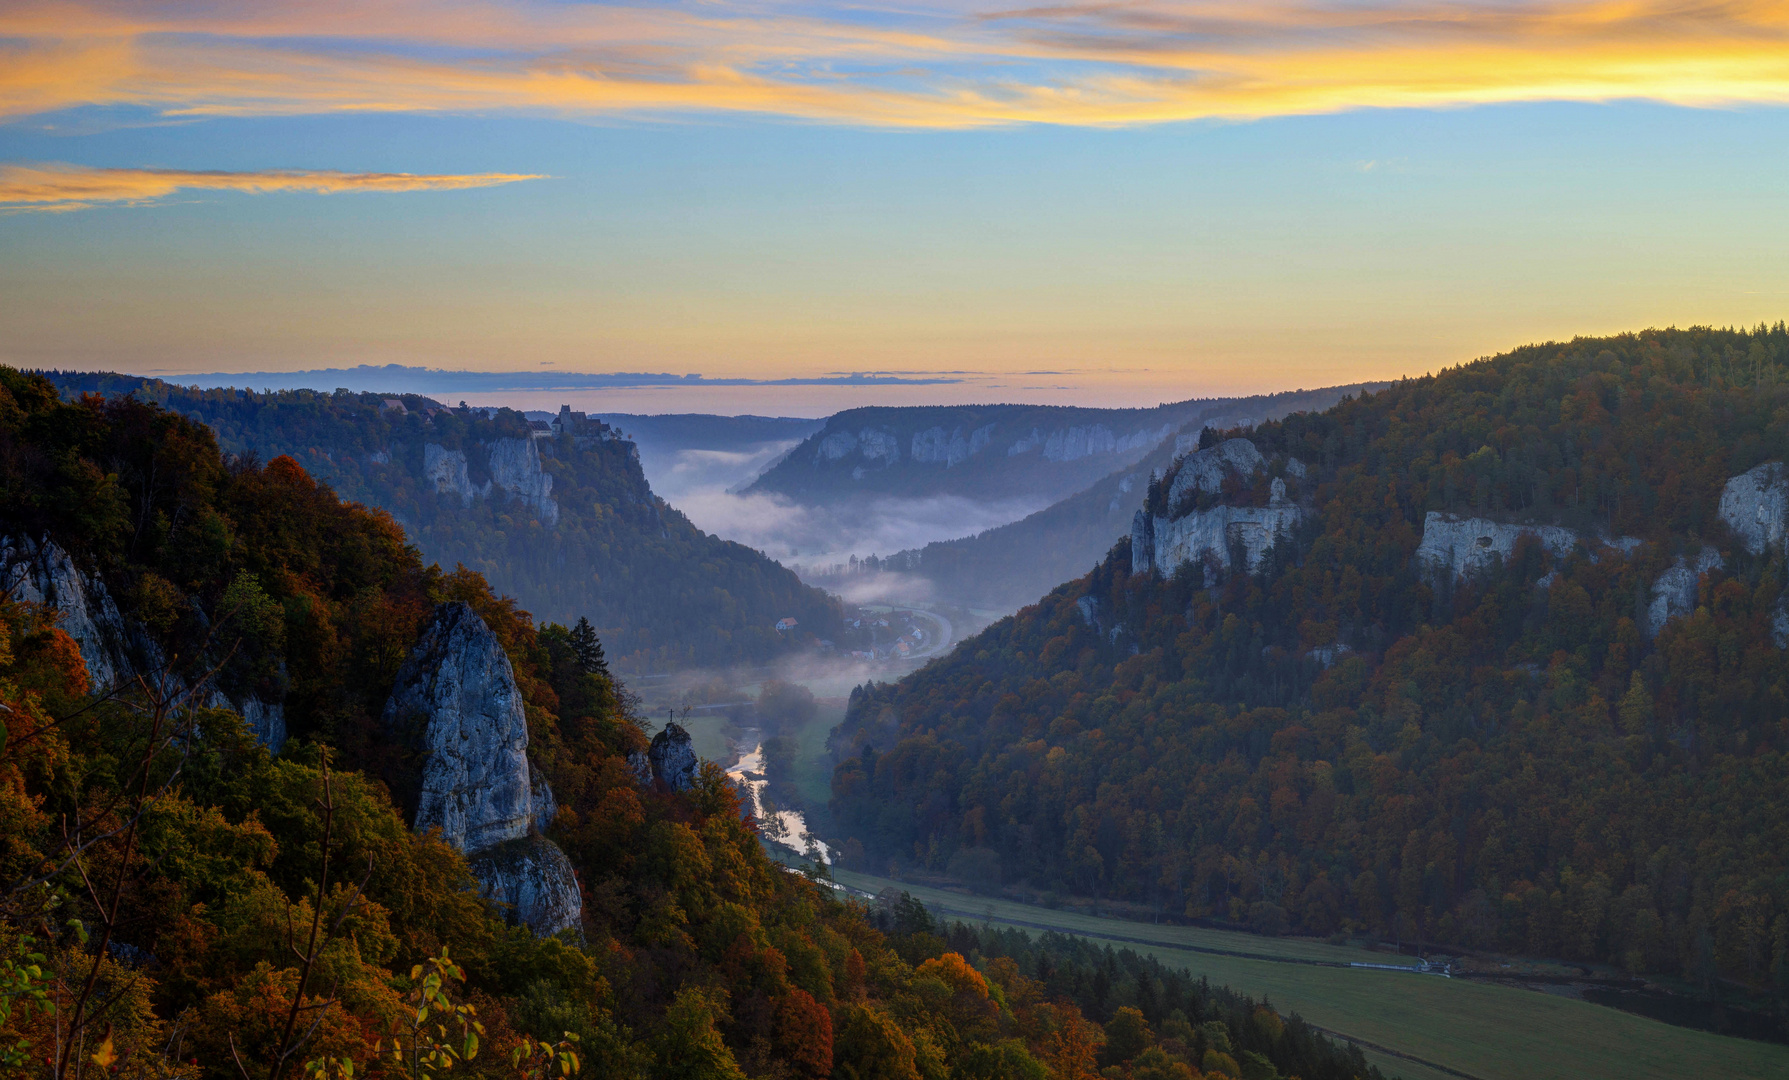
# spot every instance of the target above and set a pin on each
(1140, 260)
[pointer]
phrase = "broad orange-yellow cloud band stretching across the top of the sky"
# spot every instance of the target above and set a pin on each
(908, 65)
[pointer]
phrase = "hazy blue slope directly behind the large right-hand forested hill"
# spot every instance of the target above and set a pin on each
(1012, 566)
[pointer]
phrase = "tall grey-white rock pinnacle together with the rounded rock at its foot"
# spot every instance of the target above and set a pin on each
(479, 788)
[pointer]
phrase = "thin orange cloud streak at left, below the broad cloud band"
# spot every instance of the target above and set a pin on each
(53, 189)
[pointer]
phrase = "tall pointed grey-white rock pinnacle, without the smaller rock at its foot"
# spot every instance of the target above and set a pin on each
(477, 782)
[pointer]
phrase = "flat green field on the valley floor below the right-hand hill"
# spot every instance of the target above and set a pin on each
(1477, 1029)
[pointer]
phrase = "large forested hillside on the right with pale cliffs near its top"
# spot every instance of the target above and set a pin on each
(1488, 659)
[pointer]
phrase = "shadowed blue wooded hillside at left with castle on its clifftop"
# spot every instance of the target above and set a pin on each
(566, 525)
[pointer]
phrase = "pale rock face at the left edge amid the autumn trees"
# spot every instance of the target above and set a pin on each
(44, 575)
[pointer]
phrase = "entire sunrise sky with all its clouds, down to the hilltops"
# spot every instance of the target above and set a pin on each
(817, 207)
